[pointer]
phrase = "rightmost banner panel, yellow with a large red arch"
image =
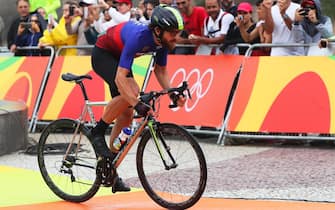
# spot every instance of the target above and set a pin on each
(285, 94)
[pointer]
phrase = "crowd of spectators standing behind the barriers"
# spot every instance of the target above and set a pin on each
(218, 27)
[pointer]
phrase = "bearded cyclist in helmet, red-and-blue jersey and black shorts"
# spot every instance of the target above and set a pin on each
(112, 58)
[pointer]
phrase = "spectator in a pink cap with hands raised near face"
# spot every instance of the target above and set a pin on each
(243, 23)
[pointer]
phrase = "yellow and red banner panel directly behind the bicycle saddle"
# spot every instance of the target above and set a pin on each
(65, 100)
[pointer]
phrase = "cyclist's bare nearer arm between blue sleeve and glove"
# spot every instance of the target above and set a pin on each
(127, 89)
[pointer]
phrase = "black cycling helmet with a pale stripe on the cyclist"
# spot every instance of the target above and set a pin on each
(167, 18)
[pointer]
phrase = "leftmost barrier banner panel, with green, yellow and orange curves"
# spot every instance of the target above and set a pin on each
(21, 78)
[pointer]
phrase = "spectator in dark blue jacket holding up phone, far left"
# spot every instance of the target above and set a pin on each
(31, 37)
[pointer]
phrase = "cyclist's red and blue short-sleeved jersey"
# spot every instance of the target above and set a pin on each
(128, 40)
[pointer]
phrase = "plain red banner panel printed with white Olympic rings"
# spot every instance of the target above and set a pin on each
(210, 80)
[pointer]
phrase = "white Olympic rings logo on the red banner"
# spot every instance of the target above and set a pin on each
(198, 89)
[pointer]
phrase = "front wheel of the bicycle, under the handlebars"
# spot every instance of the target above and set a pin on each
(172, 189)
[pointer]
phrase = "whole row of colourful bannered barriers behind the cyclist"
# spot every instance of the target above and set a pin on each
(274, 96)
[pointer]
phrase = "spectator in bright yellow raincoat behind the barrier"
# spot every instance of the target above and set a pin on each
(58, 36)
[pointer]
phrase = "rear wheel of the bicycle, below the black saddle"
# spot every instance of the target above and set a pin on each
(81, 161)
